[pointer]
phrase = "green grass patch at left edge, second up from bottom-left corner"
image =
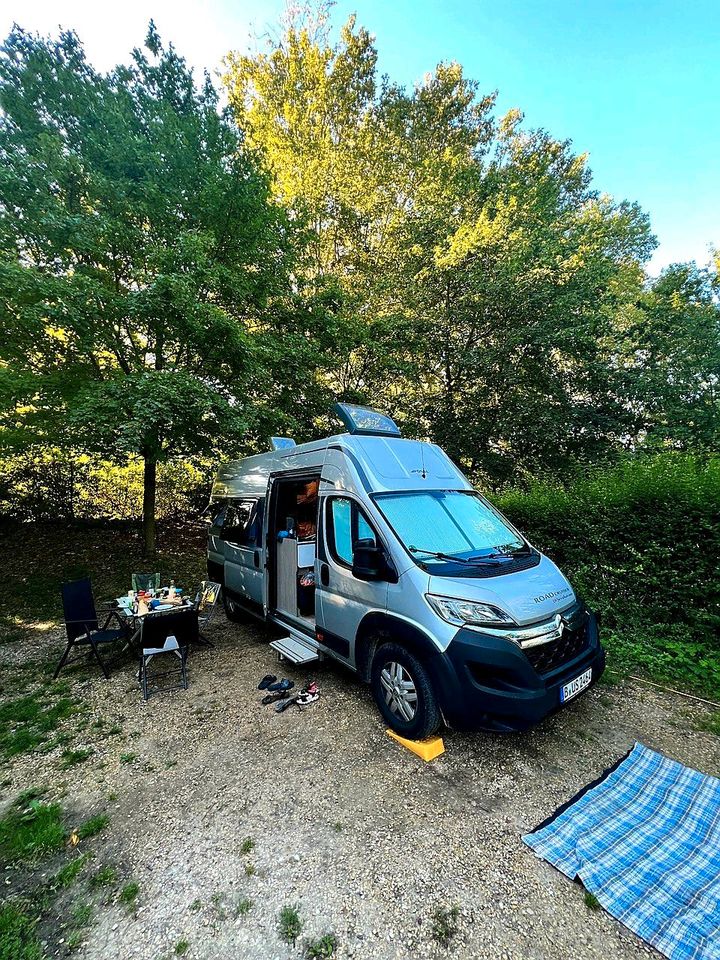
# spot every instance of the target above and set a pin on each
(30, 829)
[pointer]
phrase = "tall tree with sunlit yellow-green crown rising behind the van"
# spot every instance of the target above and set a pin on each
(483, 277)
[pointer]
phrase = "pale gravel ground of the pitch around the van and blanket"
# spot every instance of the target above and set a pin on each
(366, 839)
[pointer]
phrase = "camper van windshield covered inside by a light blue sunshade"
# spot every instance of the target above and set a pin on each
(450, 523)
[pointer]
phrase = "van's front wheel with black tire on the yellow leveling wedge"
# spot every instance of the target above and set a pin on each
(425, 719)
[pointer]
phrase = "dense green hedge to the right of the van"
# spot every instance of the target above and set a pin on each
(641, 543)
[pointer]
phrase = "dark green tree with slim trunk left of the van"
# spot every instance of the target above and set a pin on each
(141, 254)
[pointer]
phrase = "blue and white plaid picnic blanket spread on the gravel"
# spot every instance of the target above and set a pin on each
(645, 839)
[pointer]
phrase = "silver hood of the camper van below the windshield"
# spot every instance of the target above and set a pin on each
(528, 595)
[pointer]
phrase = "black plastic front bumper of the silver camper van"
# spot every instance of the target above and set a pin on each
(486, 682)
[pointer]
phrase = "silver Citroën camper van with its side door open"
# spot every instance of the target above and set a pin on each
(376, 551)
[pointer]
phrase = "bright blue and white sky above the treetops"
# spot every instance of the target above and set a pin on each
(634, 84)
